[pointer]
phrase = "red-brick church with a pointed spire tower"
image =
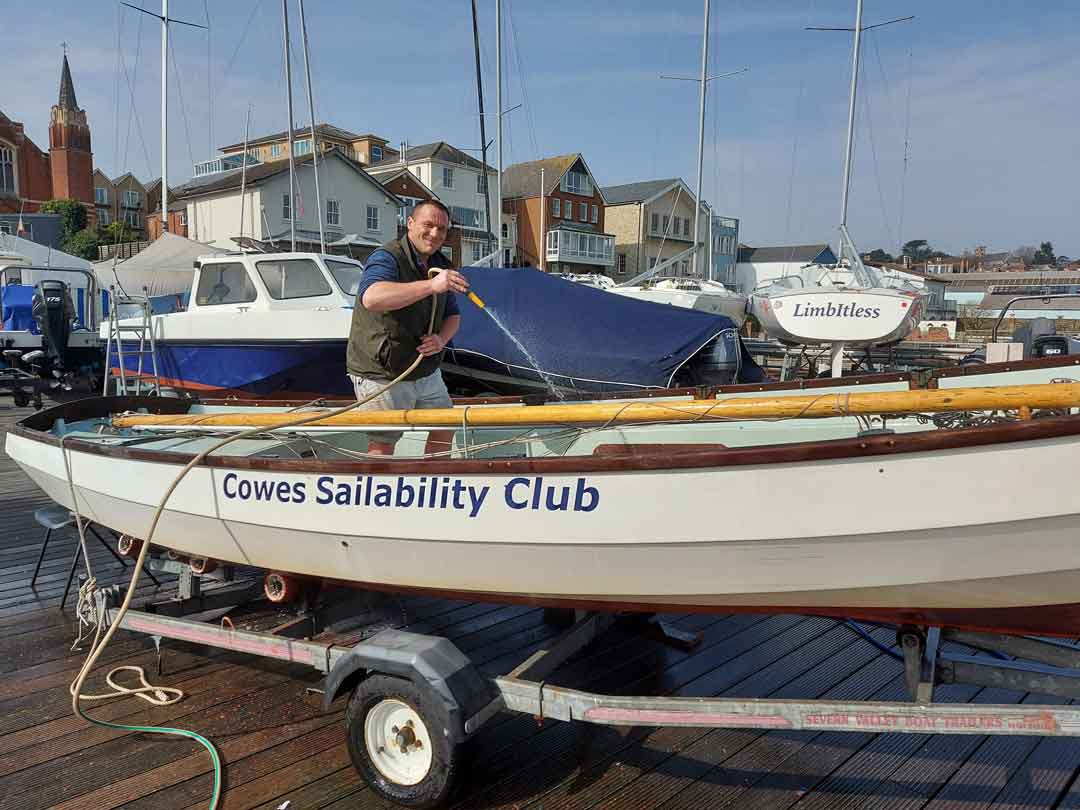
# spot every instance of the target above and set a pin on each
(30, 177)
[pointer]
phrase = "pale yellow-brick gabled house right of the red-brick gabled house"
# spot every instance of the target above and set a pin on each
(653, 222)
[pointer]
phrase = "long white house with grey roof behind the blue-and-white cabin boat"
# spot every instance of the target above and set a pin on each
(355, 206)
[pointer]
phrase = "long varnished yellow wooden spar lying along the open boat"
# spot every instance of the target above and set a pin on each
(1002, 398)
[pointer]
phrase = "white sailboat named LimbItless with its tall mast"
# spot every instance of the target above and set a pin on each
(845, 306)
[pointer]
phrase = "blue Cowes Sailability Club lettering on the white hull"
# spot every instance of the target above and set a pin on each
(413, 492)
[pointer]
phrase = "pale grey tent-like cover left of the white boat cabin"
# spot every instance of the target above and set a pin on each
(164, 268)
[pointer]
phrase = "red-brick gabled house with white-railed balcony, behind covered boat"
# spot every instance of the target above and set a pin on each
(560, 220)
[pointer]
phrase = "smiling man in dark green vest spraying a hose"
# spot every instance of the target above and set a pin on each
(391, 317)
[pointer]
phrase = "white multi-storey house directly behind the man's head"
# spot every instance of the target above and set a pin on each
(458, 181)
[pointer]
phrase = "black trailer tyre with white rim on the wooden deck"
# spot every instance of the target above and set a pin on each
(398, 745)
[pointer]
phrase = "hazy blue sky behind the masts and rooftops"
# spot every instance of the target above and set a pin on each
(993, 123)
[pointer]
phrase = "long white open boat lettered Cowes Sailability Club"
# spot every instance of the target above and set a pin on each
(558, 506)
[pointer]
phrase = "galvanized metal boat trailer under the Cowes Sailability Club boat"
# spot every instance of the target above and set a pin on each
(417, 698)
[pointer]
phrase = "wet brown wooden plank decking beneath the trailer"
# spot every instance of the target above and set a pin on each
(279, 746)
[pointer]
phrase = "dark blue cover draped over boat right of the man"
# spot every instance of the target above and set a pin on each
(588, 339)
